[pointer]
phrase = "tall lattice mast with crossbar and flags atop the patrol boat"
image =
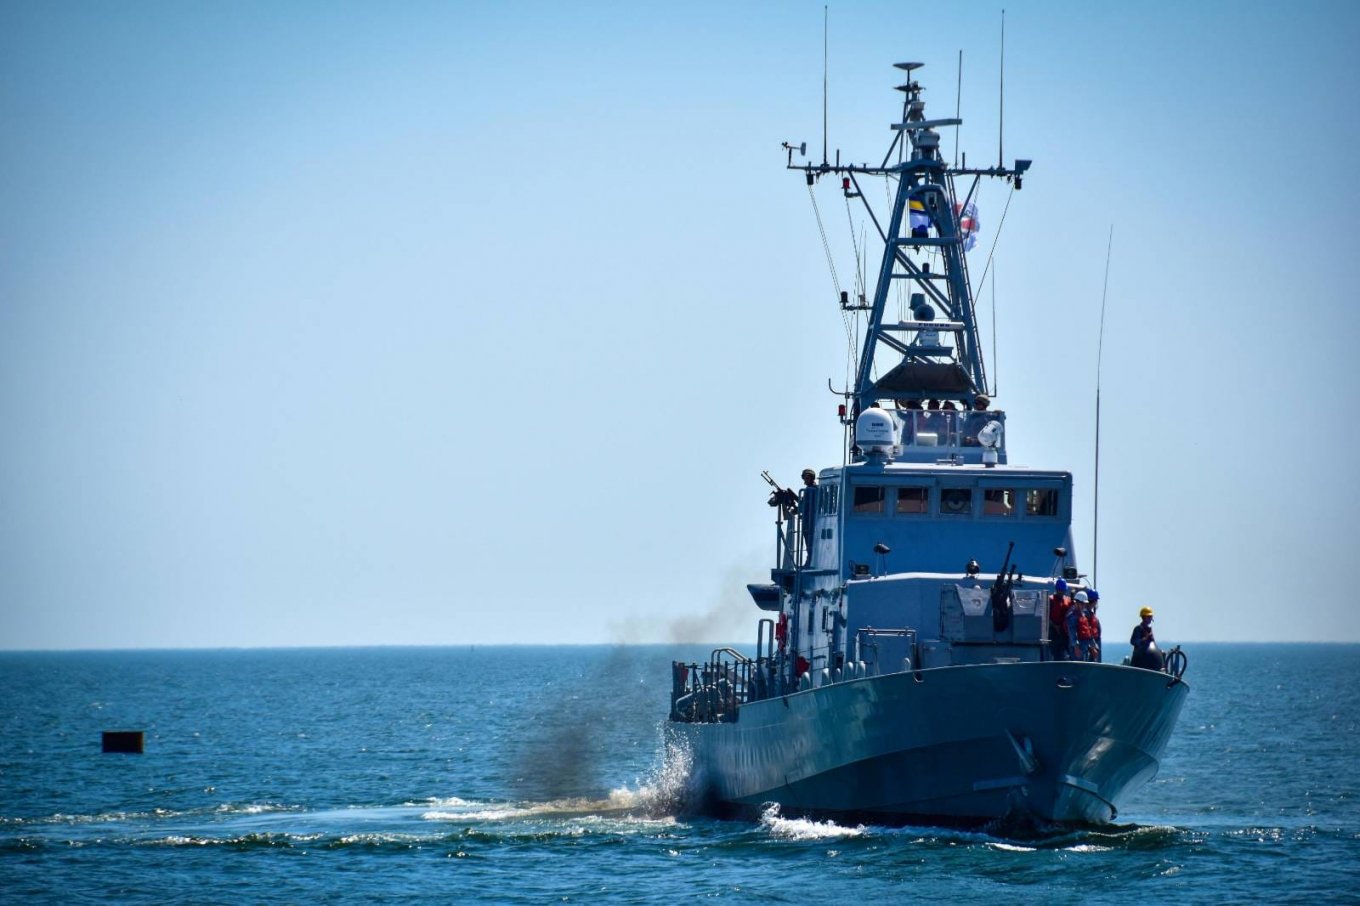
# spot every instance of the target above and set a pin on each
(936, 353)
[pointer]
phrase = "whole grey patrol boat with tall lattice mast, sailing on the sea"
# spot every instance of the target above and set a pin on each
(906, 671)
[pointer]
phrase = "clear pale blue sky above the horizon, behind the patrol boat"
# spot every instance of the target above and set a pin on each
(347, 324)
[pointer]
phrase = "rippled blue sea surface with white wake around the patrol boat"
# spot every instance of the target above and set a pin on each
(535, 775)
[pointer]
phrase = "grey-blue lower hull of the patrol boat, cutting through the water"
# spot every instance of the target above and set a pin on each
(1057, 742)
